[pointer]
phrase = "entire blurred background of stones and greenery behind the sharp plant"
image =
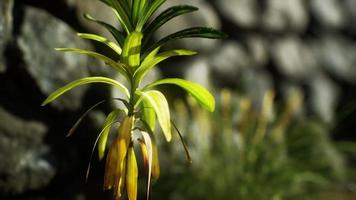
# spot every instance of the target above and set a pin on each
(284, 81)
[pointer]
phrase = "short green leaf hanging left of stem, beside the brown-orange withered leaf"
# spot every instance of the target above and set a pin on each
(110, 119)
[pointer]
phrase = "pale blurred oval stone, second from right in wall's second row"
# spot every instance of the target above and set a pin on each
(294, 59)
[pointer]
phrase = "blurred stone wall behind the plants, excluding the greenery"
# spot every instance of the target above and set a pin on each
(283, 45)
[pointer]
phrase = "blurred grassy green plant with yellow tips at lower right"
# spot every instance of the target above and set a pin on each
(242, 152)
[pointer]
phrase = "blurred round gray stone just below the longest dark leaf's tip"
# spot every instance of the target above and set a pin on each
(230, 60)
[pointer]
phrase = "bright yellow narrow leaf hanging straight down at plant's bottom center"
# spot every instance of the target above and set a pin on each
(131, 175)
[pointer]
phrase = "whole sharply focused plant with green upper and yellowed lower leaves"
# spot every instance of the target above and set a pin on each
(135, 55)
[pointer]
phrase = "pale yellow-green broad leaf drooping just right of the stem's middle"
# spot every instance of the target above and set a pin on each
(160, 105)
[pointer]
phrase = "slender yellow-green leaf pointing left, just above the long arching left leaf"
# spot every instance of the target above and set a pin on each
(118, 66)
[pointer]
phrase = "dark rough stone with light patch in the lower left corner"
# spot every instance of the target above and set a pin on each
(24, 158)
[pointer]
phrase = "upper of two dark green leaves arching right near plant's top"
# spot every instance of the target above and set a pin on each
(164, 17)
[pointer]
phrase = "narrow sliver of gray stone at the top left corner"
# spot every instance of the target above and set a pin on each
(5, 28)
